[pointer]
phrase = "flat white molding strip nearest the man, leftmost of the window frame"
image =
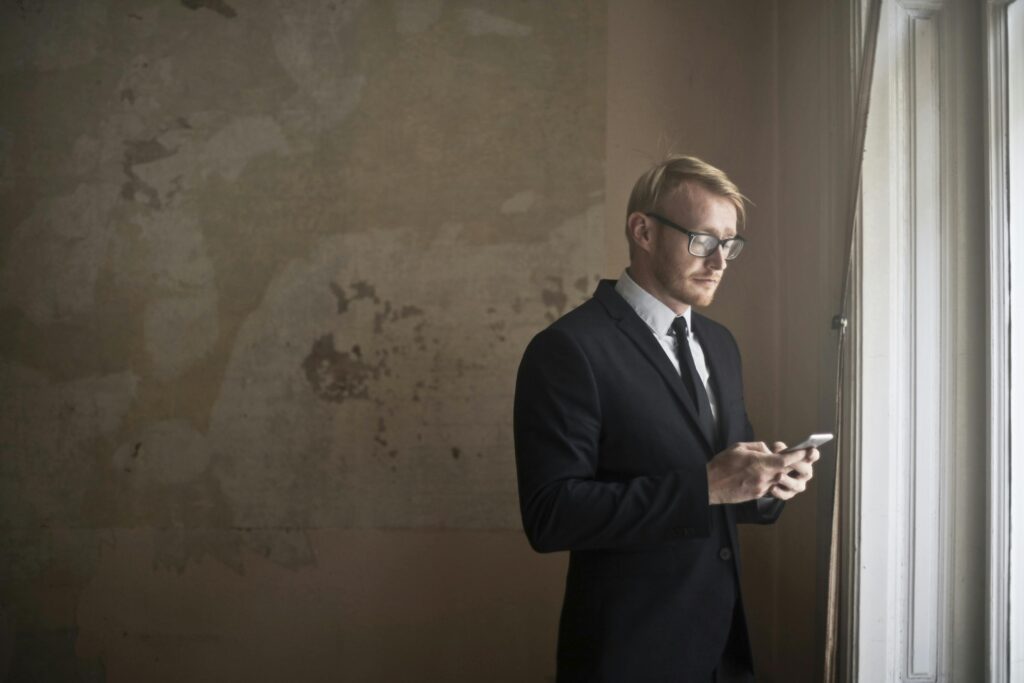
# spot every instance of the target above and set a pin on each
(876, 491)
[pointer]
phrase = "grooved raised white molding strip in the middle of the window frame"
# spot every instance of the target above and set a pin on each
(927, 344)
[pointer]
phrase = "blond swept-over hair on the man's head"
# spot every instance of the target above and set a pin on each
(669, 175)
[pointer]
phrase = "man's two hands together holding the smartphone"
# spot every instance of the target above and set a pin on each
(749, 472)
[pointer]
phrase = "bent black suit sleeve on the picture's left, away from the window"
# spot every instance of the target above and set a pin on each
(565, 505)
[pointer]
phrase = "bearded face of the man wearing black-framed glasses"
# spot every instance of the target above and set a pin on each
(682, 278)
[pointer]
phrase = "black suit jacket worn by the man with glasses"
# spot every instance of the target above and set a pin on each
(612, 465)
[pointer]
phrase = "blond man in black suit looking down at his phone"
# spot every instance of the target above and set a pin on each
(635, 453)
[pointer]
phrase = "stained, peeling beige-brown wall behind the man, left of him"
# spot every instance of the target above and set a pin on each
(267, 271)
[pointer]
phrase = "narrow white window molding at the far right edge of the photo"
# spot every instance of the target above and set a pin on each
(1005, 164)
